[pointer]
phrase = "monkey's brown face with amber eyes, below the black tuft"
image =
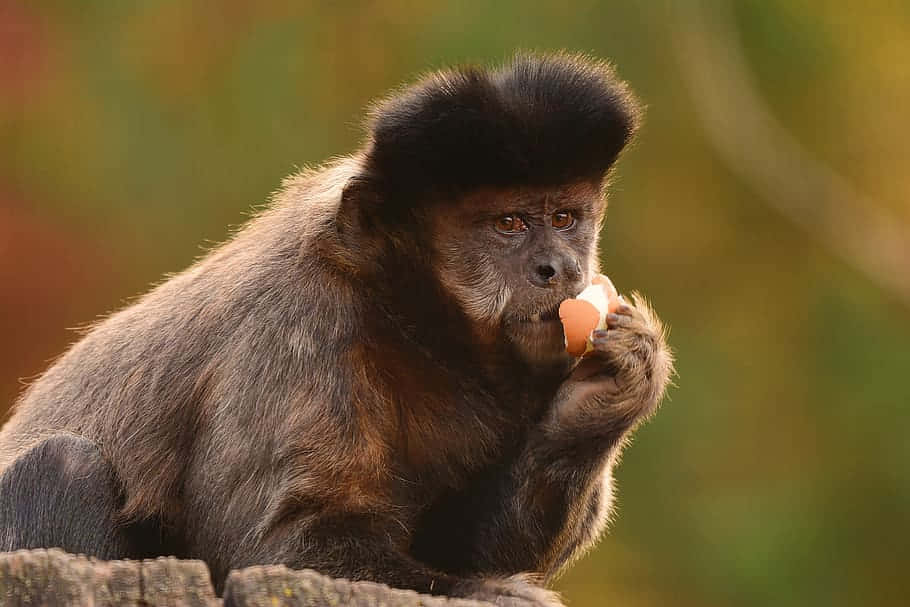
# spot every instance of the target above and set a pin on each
(509, 257)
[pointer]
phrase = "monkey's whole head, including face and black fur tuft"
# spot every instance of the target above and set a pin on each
(496, 178)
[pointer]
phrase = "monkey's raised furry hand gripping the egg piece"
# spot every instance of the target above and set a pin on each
(621, 382)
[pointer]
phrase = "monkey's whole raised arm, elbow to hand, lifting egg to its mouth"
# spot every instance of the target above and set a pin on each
(550, 499)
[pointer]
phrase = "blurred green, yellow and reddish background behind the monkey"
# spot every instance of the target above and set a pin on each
(764, 209)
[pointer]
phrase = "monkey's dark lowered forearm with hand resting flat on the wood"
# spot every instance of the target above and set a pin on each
(362, 547)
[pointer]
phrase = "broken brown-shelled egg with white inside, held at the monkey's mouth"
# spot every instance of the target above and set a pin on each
(582, 315)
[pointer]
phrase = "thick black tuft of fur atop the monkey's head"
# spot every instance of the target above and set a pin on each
(538, 120)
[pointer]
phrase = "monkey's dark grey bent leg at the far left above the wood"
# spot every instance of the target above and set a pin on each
(62, 493)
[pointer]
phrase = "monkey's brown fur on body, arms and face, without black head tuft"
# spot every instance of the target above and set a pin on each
(357, 391)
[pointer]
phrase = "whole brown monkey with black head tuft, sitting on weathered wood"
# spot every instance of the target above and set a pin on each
(369, 378)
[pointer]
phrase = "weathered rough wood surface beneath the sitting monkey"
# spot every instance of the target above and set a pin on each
(54, 578)
